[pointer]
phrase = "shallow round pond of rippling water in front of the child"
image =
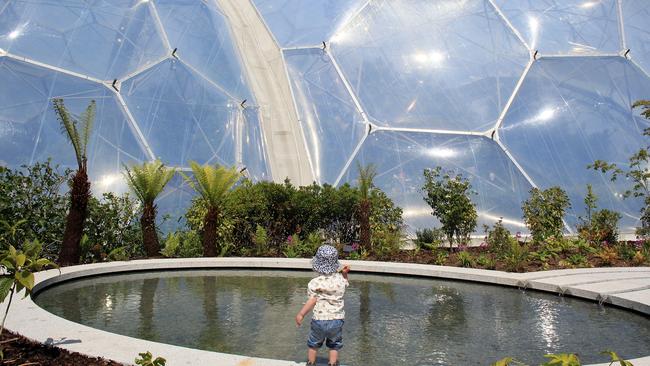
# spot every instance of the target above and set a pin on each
(391, 320)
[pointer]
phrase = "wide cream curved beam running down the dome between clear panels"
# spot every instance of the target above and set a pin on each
(263, 62)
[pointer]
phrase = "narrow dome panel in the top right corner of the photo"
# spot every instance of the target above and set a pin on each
(636, 19)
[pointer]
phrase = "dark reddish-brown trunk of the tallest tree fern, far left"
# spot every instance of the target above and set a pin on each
(79, 194)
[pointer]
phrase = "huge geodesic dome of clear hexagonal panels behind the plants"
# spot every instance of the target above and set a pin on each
(512, 94)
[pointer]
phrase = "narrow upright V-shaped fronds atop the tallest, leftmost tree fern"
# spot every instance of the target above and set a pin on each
(77, 130)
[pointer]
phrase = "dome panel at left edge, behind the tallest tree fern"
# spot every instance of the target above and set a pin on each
(30, 131)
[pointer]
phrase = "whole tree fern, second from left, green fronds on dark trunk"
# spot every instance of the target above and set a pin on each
(147, 181)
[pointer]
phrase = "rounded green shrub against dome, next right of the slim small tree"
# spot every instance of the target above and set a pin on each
(544, 211)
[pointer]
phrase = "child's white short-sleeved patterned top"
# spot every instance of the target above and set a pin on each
(329, 291)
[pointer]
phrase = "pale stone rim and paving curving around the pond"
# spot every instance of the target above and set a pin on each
(625, 287)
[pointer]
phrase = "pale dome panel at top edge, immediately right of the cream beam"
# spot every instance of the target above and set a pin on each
(306, 23)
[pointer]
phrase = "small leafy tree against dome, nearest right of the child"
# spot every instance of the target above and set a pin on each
(449, 199)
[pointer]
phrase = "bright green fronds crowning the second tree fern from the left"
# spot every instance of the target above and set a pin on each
(148, 180)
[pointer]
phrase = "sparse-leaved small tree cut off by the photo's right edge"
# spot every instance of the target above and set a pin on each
(637, 171)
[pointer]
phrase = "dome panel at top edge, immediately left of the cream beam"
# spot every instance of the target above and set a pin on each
(202, 37)
